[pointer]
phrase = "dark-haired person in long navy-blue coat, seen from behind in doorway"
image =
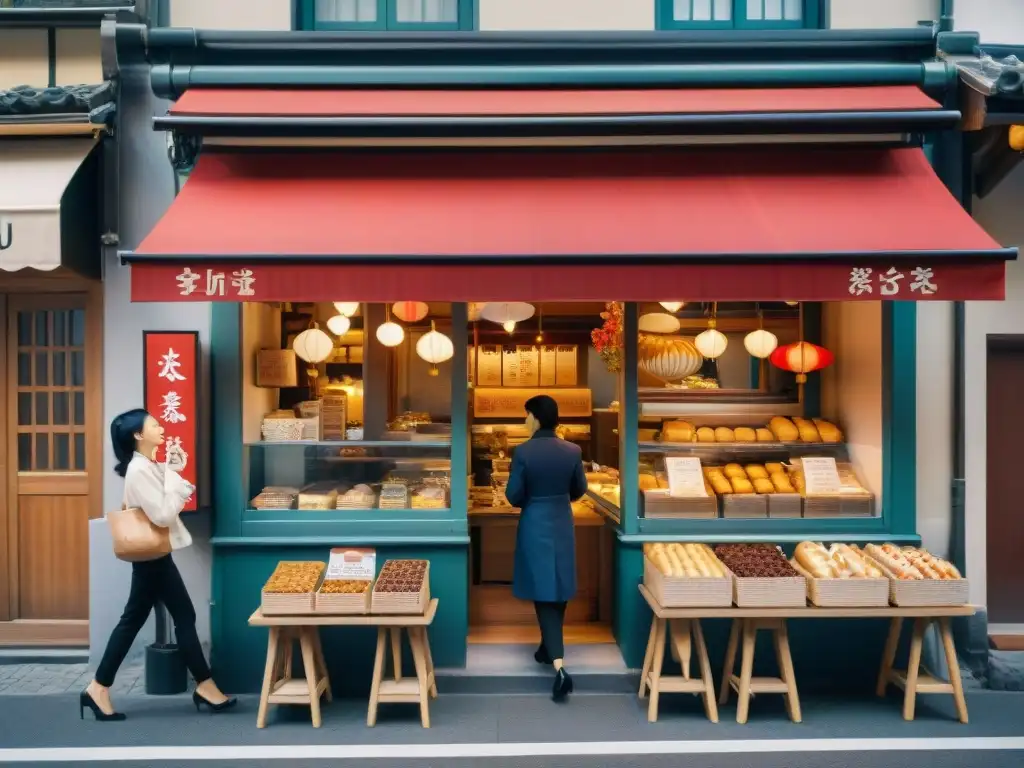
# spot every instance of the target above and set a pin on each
(547, 477)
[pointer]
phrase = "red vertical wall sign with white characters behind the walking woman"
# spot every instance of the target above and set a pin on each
(170, 381)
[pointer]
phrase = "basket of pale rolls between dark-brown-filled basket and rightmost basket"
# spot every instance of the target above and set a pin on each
(840, 576)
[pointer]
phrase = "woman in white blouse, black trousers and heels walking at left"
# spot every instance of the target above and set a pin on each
(161, 494)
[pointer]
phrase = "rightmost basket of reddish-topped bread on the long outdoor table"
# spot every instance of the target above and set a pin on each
(917, 578)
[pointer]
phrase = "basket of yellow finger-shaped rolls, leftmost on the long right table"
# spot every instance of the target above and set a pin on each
(686, 576)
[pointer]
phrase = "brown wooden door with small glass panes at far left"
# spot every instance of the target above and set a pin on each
(51, 463)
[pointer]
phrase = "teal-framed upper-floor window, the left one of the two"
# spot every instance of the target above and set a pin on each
(387, 15)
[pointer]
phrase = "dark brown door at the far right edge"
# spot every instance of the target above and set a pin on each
(1005, 519)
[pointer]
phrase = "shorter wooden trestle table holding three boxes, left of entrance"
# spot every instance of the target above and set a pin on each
(279, 688)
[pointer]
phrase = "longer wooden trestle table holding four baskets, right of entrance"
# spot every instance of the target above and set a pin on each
(746, 624)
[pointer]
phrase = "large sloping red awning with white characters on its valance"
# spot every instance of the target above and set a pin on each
(719, 225)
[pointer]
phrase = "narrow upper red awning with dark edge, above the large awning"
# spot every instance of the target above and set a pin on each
(435, 114)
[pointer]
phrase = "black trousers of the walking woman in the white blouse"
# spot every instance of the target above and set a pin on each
(155, 582)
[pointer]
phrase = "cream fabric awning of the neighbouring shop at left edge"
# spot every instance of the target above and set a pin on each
(49, 205)
